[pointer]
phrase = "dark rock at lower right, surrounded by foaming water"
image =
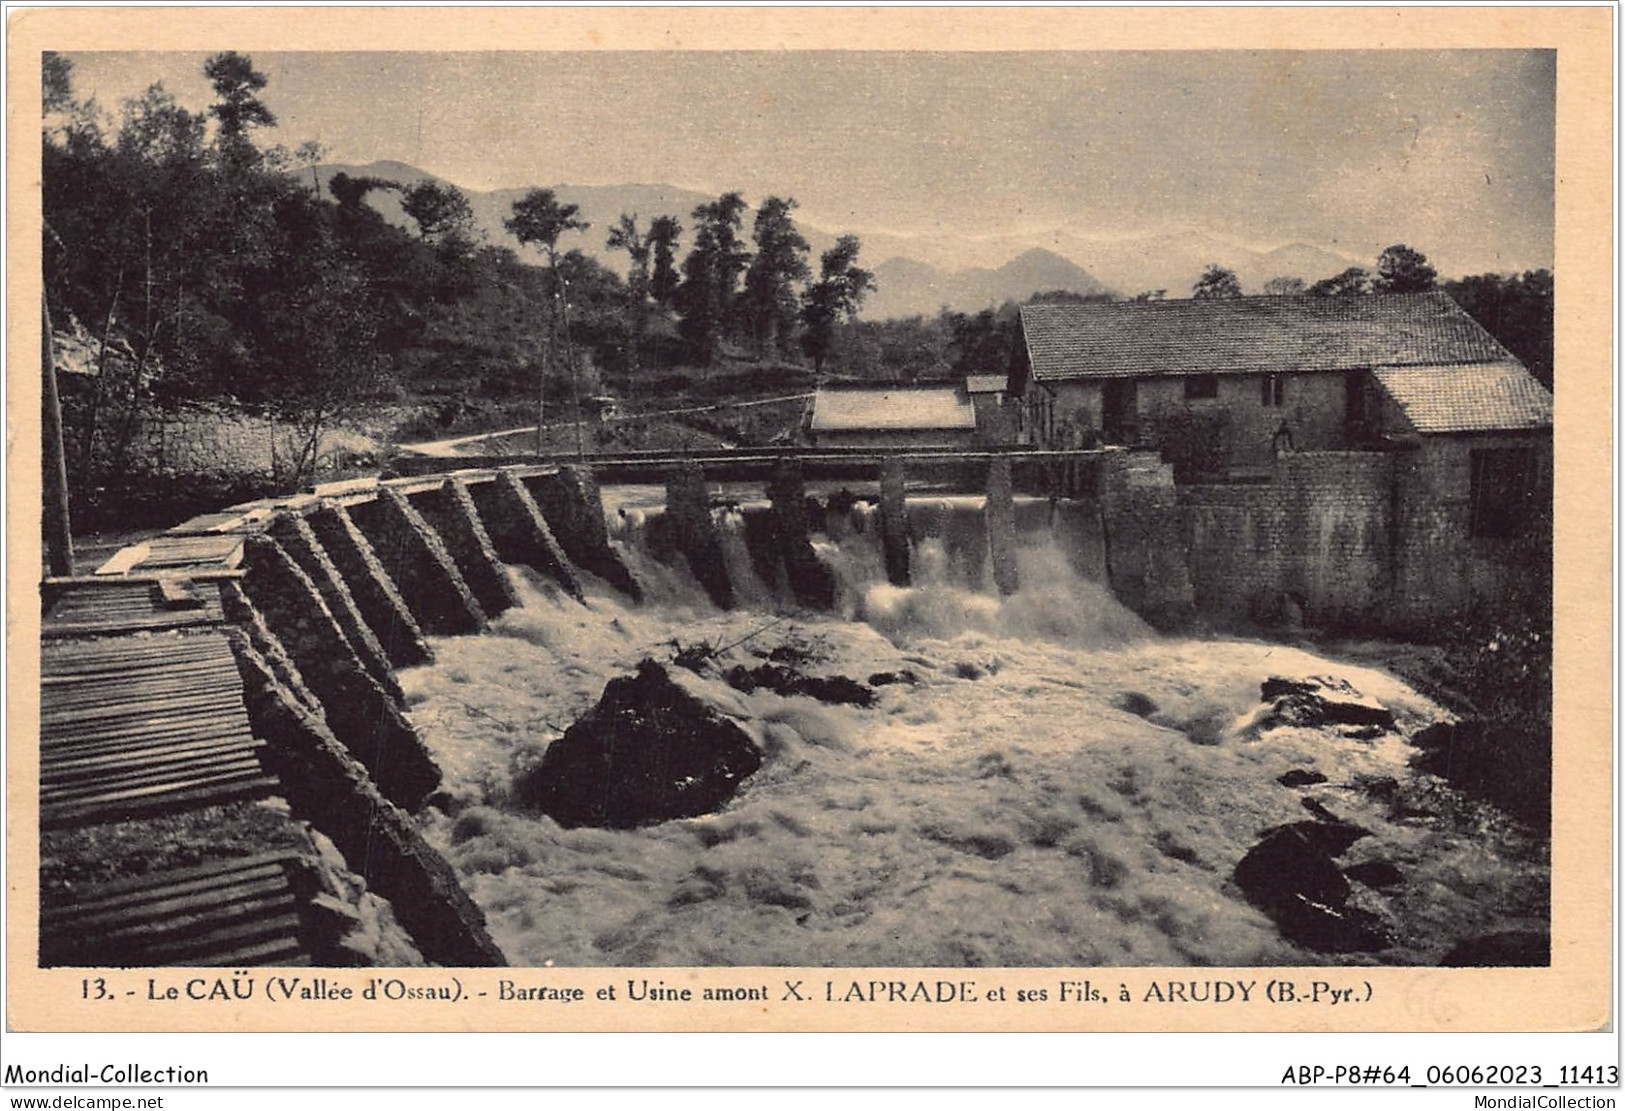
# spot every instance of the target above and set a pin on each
(1291, 876)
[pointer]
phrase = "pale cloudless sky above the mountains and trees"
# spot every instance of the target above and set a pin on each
(1450, 152)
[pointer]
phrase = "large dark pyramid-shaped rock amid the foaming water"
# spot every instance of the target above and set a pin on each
(648, 753)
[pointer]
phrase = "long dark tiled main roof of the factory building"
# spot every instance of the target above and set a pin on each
(1138, 339)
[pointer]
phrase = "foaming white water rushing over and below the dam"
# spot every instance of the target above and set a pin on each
(1000, 810)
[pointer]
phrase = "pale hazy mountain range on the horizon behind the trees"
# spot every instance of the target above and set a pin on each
(916, 275)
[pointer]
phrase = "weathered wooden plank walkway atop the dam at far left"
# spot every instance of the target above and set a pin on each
(142, 714)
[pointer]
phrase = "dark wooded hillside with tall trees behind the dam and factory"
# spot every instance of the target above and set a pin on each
(219, 267)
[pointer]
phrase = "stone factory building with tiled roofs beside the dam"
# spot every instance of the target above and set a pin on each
(1374, 460)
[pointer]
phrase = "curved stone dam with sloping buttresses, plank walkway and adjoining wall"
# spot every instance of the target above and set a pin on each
(230, 771)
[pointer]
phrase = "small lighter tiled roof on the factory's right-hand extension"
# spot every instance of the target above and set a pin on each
(1491, 397)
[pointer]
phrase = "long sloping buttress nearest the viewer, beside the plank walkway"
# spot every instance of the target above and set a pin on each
(327, 787)
